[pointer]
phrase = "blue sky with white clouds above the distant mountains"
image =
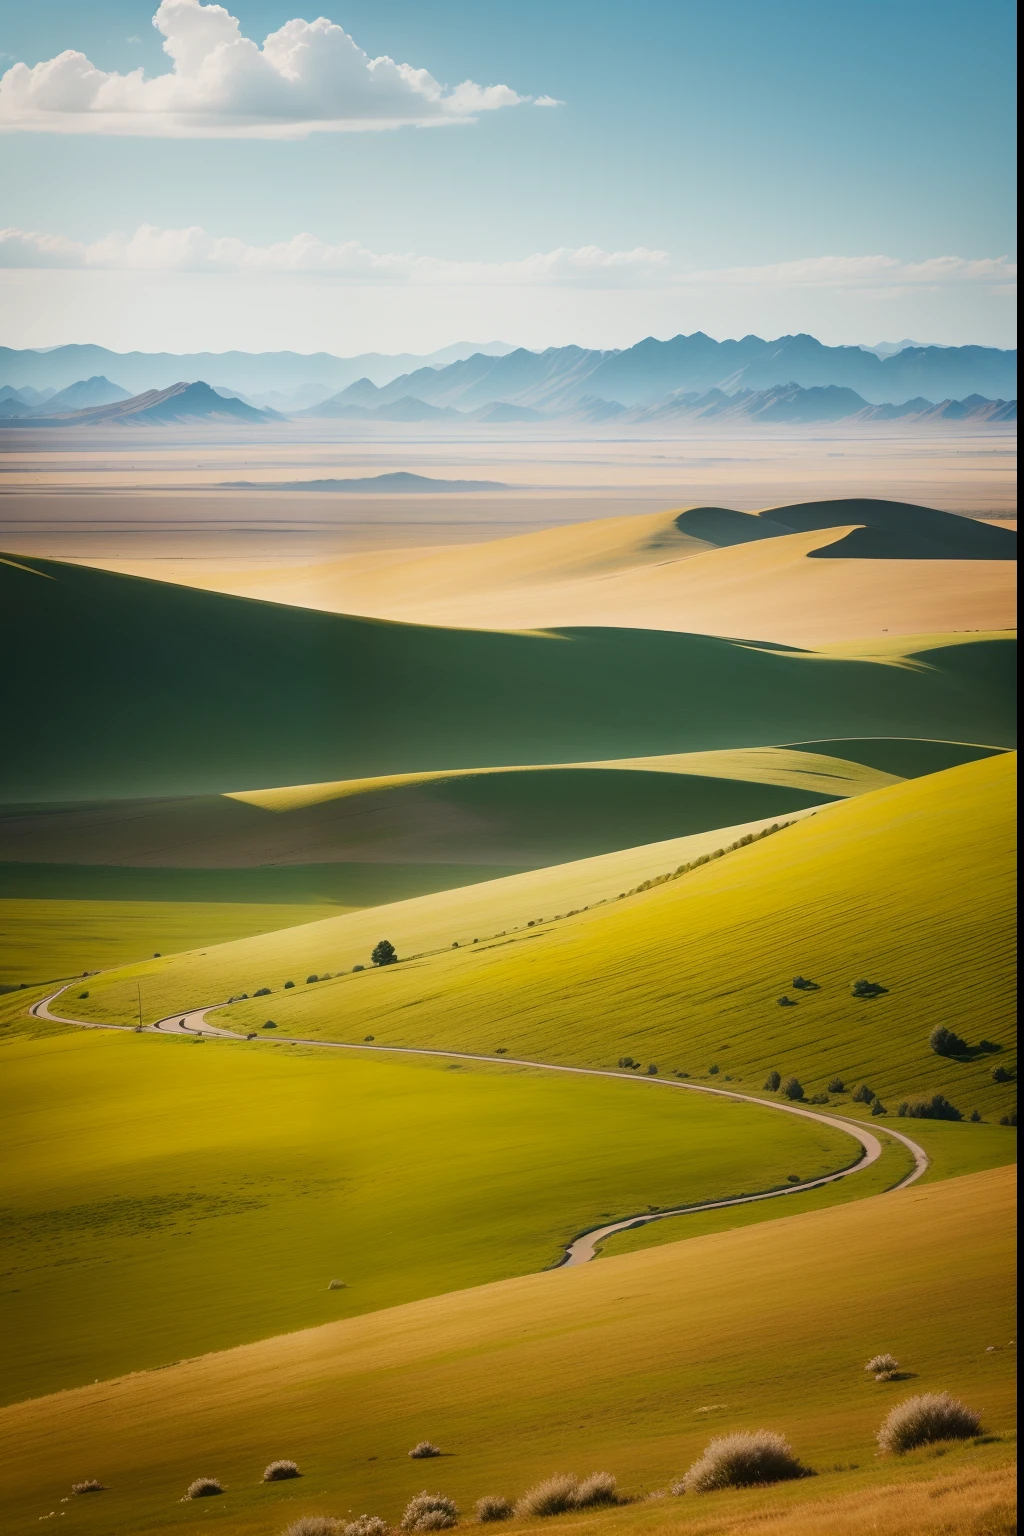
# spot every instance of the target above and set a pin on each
(403, 176)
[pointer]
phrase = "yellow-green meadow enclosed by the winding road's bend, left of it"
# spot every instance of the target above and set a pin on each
(197, 1197)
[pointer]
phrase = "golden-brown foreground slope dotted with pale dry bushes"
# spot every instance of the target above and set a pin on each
(629, 1365)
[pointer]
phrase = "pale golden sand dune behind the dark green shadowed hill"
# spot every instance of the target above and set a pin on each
(735, 574)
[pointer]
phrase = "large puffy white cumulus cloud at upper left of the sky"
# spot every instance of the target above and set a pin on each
(306, 78)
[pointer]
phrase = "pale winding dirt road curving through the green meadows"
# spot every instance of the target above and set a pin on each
(584, 1248)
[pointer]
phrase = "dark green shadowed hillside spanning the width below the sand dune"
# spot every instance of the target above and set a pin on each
(134, 687)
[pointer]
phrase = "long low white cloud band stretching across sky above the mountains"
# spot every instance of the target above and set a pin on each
(151, 250)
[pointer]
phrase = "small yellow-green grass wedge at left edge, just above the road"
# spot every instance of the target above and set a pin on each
(53, 939)
